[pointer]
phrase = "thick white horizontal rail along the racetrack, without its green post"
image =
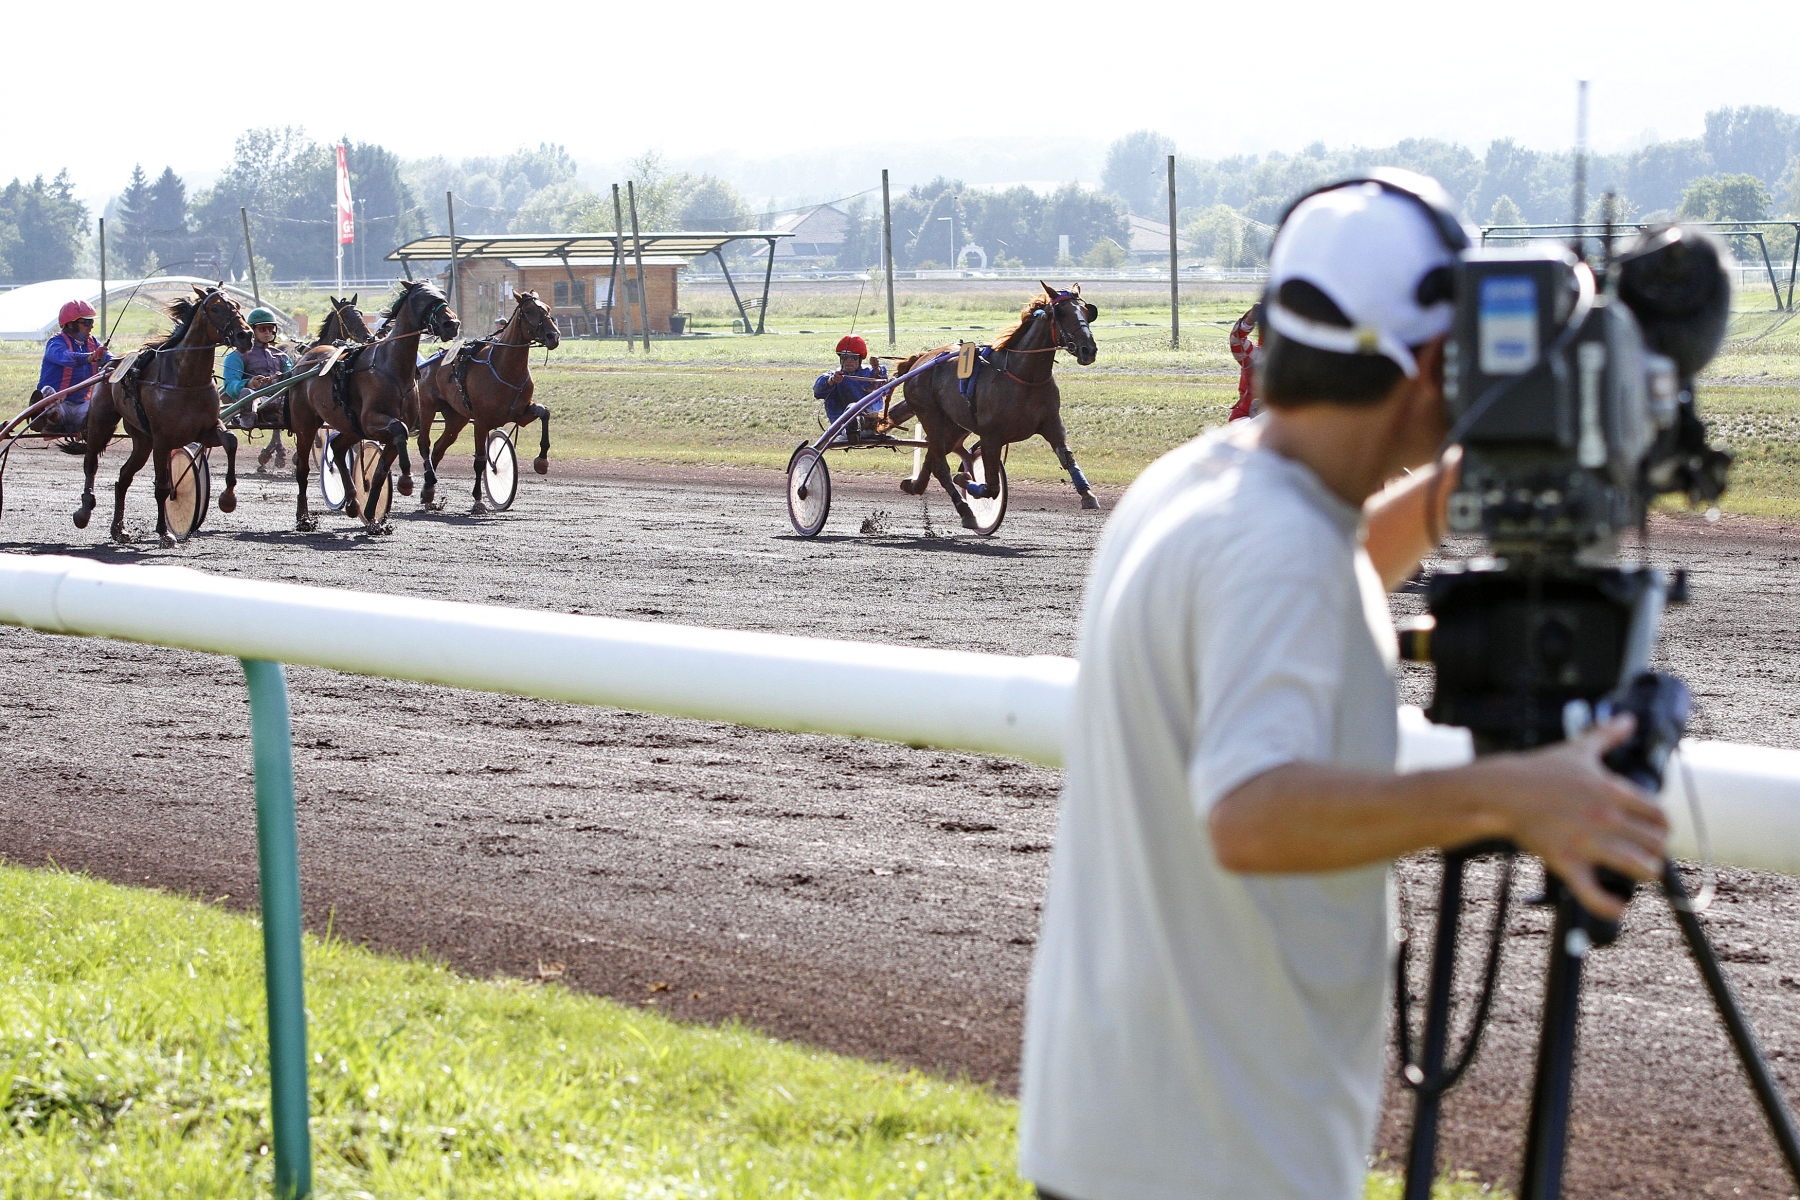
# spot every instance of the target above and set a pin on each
(953, 701)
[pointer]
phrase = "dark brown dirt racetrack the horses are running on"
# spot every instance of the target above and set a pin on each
(859, 897)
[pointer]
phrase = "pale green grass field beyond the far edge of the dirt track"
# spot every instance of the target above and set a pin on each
(748, 400)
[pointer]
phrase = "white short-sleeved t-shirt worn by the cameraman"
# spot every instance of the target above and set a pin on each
(1192, 1032)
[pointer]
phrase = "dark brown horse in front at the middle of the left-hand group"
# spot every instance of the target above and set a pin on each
(368, 395)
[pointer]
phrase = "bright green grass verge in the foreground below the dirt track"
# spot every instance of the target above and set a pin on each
(134, 1064)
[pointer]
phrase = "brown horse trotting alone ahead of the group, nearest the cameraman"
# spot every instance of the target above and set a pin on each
(1014, 395)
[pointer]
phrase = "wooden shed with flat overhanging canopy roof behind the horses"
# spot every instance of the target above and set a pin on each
(588, 280)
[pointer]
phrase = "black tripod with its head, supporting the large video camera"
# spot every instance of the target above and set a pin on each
(1585, 638)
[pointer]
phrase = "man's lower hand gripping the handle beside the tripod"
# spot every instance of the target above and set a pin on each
(1565, 807)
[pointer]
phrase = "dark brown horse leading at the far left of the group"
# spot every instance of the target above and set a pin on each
(166, 400)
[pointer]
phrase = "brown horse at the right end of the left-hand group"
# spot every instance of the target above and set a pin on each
(487, 382)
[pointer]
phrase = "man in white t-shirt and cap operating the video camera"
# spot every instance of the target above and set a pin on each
(1207, 1010)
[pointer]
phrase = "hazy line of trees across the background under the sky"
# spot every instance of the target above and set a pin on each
(1745, 166)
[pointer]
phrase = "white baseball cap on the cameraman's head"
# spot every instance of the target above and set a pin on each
(1376, 247)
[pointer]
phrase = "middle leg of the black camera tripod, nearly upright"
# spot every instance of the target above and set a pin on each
(1547, 1136)
